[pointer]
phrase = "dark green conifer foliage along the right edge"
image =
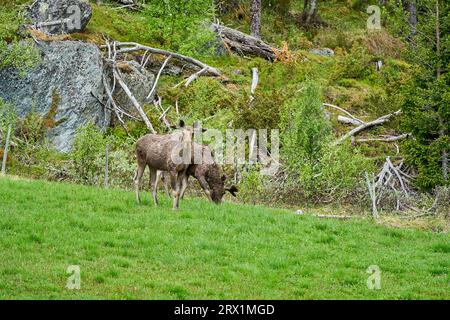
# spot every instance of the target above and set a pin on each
(426, 102)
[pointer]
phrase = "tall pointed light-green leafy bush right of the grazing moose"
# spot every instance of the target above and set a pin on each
(313, 165)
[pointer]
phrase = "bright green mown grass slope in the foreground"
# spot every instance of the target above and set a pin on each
(203, 251)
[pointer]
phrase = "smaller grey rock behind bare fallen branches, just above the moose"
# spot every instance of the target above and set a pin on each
(140, 81)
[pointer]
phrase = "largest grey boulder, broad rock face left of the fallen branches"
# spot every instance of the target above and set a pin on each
(70, 71)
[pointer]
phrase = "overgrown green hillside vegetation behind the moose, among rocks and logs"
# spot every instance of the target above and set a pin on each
(289, 97)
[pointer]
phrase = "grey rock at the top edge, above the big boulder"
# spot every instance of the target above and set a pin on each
(73, 15)
